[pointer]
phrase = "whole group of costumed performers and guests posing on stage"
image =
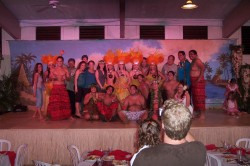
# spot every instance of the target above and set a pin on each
(108, 91)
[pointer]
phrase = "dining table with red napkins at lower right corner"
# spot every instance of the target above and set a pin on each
(228, 157)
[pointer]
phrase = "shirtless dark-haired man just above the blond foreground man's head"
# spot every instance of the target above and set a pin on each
(170, 86)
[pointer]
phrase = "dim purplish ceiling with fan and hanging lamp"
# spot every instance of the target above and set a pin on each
(110, 9)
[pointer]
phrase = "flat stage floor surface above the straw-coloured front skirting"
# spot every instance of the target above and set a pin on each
(24, 120)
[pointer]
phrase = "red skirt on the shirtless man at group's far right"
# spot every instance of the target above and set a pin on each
(198, 93)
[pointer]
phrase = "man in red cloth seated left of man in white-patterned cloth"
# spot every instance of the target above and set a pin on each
(108, 105)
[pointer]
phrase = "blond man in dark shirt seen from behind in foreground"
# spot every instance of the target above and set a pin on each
(179, 148)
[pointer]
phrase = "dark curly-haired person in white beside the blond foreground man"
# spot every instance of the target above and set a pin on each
(148, 136)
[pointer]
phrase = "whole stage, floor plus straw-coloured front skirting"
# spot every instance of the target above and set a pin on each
(48, 140)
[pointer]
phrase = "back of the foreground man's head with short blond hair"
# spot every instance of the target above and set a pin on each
(176, 119)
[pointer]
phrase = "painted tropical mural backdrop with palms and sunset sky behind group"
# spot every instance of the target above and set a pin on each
(214, 53)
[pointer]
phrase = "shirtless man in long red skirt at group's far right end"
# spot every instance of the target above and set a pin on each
(197, 84)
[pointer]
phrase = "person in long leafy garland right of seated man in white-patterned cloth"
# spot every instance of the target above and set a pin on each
(155, 100)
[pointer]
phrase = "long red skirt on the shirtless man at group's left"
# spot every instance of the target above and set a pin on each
(59, 104)
